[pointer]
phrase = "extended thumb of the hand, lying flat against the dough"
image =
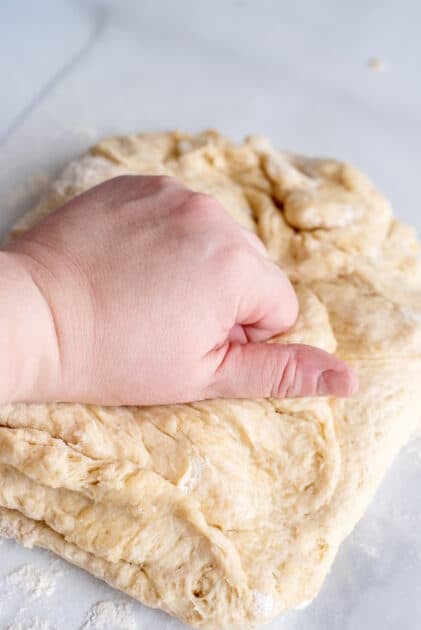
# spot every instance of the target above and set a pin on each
(261, 370)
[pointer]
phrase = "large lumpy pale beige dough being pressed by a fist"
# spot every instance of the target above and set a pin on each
(225, 513)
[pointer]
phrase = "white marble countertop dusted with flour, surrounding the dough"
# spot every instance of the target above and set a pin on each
(73, 71)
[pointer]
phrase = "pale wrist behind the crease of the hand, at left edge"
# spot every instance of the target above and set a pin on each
(29, 354)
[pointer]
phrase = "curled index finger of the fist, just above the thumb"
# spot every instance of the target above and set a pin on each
(268, 304)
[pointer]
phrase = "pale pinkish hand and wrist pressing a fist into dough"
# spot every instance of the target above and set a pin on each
(141, 291)
